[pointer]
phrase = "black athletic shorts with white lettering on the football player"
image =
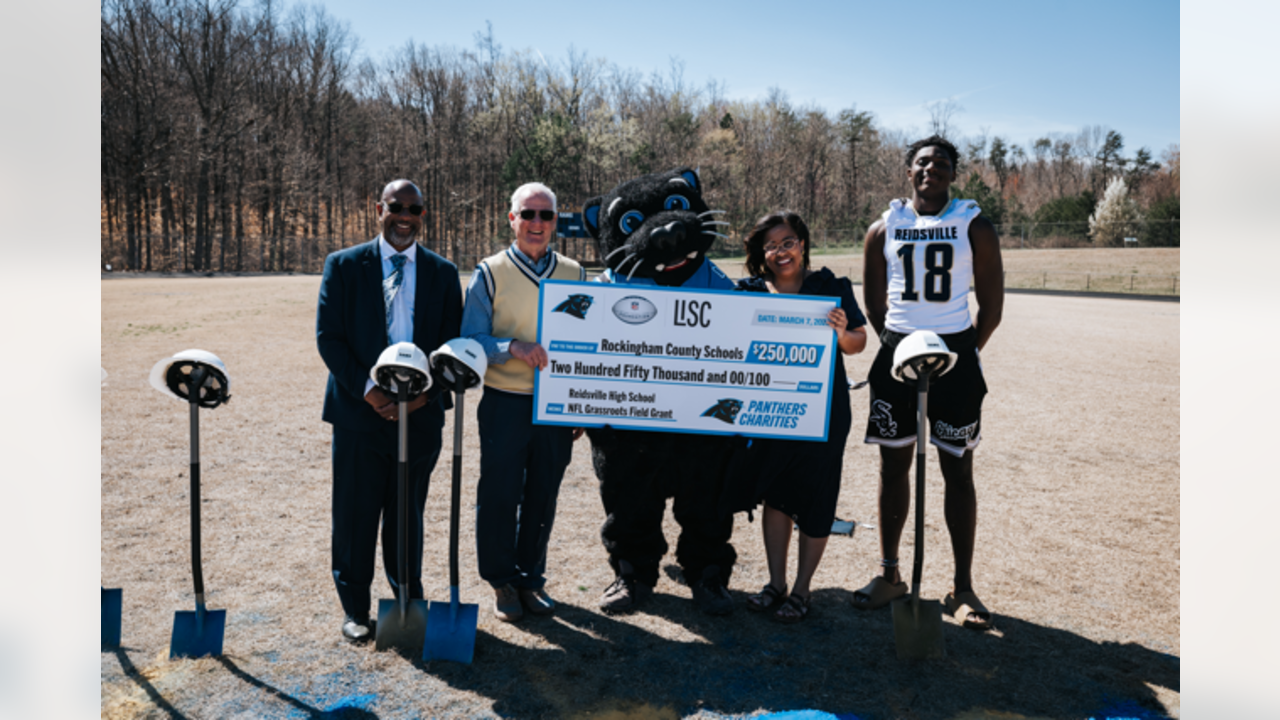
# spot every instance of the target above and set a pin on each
(956, 399)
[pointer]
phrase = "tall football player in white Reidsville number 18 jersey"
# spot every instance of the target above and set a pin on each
(920, 261)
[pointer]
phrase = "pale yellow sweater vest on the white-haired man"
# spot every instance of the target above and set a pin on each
(513, 288)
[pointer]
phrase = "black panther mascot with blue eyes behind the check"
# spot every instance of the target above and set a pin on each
(656, 230)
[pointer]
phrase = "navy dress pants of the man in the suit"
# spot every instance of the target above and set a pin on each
(365, 493)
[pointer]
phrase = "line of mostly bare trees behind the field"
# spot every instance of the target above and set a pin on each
(243, 138)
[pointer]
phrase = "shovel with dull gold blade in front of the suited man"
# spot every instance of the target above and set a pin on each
(403, 622)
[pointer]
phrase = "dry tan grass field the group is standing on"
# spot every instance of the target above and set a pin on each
(1080, 550)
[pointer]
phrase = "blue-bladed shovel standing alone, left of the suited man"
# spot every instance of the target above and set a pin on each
(200, 634)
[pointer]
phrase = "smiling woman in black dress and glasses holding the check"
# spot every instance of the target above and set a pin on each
(803, 480)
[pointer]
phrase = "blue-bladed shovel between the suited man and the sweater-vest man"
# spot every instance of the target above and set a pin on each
(451, 634)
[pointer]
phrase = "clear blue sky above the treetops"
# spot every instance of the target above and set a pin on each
(1018, 70)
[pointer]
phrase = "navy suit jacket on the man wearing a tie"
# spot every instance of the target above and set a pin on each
(351, 331)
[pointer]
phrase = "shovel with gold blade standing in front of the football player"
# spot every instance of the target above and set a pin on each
(918, 623)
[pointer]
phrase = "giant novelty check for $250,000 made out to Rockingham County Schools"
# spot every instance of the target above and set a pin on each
(648, 358)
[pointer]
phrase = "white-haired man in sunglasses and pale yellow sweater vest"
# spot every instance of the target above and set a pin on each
(522, 464)
